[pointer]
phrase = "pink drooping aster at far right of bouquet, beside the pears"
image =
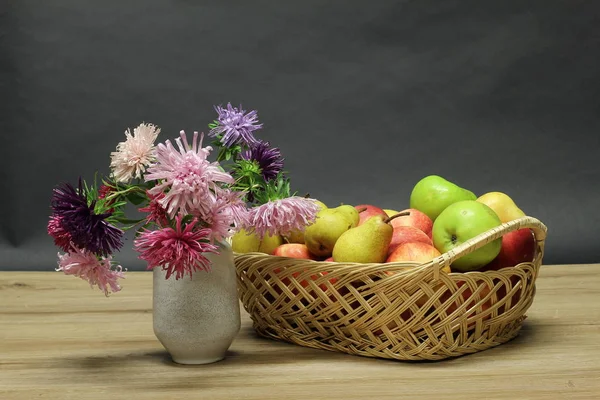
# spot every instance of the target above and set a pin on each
(282, 216)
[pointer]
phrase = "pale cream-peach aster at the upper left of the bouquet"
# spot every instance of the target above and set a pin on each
(135, 154)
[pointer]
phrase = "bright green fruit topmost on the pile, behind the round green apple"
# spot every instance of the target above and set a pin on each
(432, 194)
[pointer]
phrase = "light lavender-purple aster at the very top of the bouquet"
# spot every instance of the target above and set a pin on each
(235, 125)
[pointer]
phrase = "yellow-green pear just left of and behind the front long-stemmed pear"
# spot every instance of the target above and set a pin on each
(320, 237)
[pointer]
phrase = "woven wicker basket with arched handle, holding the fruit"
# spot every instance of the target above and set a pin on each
(400, 311)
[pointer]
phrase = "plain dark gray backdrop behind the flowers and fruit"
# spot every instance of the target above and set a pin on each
(363, 97)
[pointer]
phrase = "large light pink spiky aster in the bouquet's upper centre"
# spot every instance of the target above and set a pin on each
(186, 176)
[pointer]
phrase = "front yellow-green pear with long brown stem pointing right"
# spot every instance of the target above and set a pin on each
(366, 243)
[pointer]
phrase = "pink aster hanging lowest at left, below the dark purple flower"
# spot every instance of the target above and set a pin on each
(87, 266)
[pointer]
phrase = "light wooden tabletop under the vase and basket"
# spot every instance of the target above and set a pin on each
(59, 339)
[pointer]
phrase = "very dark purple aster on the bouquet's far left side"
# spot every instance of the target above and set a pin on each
(87, 229)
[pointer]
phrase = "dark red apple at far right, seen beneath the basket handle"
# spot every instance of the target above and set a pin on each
(517, 247)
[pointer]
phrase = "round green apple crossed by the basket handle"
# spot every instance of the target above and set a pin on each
(460, 222)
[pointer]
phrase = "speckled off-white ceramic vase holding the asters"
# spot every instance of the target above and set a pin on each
(197, 318)
